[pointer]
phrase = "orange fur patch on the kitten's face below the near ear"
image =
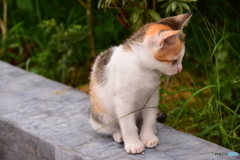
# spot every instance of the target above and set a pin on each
(168, 54)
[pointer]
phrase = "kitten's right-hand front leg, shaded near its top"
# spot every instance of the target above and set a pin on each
(148, 129)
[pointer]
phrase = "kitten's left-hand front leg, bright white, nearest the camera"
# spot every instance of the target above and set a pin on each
(129, 130)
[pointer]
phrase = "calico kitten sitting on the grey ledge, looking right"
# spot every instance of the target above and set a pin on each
(124, 77)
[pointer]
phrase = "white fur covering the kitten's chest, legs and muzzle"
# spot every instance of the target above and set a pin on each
(131, 79)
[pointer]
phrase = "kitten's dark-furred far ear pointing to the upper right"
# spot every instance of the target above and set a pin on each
(177, 22)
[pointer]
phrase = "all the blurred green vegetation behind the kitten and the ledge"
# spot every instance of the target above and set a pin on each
(60, 39)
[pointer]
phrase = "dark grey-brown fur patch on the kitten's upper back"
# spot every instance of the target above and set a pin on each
(102, 61)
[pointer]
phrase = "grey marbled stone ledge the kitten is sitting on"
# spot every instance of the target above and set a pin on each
(43, 119)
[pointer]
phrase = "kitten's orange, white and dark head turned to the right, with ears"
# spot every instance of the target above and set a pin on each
(165, 41)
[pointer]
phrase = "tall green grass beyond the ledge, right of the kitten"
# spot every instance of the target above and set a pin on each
(213, 113)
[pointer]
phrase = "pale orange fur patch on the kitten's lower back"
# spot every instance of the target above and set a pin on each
(95, 101)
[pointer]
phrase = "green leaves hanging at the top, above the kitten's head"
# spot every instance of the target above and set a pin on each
(142, 11)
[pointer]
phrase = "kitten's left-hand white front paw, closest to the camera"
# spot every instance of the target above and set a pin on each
(133, 148)
